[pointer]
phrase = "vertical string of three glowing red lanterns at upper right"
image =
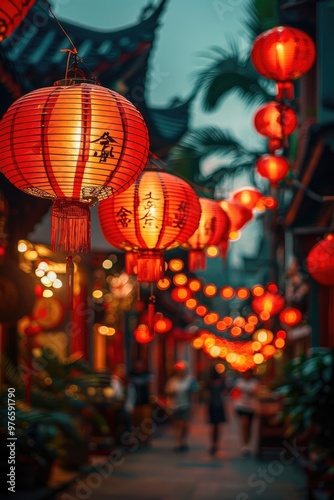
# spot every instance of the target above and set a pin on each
(282, 54)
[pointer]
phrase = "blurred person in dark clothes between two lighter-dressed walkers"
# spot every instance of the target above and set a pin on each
(215, 389)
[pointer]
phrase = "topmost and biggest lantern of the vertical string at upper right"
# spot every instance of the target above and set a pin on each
(283, 54)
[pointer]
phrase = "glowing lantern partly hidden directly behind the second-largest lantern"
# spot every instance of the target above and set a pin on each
(213, 226)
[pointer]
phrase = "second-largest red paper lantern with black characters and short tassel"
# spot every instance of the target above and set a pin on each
(158, 212)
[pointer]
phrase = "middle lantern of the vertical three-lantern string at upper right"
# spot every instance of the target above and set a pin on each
(275, 121)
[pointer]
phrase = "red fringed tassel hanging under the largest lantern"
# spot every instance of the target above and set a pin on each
(70, 226)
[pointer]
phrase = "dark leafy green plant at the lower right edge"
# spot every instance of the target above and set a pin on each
(308, 406)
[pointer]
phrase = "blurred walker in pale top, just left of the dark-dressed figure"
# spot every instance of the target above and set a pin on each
(179, 390)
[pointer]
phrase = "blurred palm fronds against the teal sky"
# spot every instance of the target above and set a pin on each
(228, 71)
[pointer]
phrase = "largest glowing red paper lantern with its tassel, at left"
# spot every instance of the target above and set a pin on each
(74, 143)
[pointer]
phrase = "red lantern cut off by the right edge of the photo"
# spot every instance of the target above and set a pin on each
(320, 261)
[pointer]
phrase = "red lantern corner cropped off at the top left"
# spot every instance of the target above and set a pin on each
(11, 14)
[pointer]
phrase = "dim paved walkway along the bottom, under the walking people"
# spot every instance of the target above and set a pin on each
(159, 473)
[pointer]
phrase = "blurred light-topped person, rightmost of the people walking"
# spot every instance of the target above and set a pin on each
(245, 406)
